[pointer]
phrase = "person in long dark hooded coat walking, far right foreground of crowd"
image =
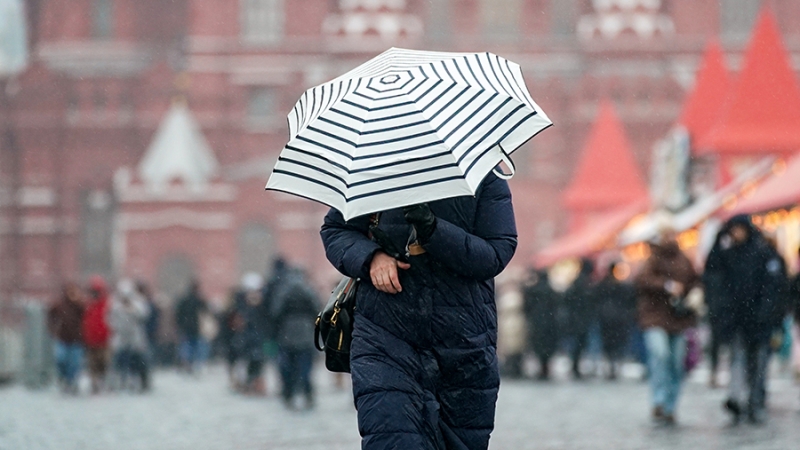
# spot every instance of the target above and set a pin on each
(748, 293)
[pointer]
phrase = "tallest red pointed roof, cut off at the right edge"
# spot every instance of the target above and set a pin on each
(764, 108)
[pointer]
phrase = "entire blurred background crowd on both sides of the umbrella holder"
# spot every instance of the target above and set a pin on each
(663, 313)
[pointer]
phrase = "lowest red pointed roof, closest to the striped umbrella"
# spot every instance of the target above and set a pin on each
(607, 174)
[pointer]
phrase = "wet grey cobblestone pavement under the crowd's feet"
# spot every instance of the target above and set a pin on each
(201, 413)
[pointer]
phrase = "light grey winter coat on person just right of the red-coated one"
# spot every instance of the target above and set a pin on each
(127, 322)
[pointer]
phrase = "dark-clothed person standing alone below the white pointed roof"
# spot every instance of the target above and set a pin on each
(192, 347)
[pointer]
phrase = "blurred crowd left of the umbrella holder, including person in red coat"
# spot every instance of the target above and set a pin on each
(119, 335)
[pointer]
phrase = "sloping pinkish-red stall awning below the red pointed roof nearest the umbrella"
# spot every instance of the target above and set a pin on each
(593, 237)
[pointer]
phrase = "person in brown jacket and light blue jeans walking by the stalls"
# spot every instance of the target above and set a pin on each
(667, 276)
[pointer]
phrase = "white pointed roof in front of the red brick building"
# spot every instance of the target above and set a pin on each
(179, 151)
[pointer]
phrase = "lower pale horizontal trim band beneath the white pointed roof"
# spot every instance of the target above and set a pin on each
(175, 217)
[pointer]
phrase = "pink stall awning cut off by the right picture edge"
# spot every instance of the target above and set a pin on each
(779, 190)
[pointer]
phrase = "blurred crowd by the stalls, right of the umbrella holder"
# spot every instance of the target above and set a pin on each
(665, 314)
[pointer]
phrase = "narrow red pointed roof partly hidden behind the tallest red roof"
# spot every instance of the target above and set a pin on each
(704, 104)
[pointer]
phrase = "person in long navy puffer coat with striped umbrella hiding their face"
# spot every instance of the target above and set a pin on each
(411, 141)
